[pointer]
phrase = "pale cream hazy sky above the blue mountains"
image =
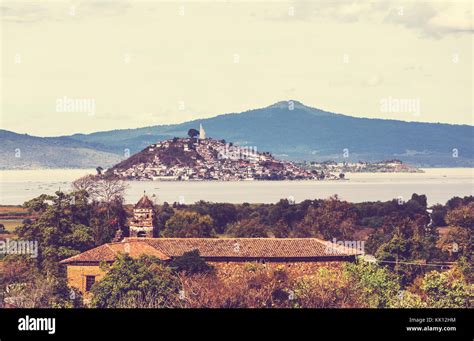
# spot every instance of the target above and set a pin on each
(141, 63)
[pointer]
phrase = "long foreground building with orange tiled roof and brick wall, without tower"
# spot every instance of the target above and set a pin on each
(83, 269)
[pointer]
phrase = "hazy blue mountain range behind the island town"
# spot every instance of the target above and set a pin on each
(302, 133)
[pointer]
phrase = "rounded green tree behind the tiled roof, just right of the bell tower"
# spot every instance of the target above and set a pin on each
(186, 224)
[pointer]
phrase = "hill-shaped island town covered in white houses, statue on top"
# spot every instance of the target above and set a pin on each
(202, 158)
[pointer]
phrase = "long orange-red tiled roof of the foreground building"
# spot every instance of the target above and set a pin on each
(220, 249)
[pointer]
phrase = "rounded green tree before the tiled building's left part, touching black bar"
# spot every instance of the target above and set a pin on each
(133, 283)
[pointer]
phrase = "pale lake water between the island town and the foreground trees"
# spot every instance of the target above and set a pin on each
(439, 185)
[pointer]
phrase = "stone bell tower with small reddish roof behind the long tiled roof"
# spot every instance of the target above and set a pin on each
(143, 222)
